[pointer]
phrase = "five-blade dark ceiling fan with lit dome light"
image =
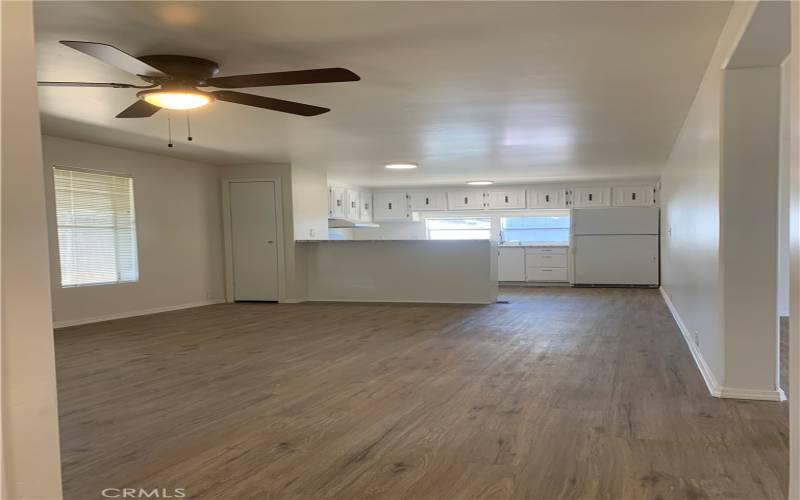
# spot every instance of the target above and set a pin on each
(175, 81)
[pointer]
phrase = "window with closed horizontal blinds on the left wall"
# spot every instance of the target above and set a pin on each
(96, 227)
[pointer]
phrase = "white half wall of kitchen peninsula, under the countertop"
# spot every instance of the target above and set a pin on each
(402, 271)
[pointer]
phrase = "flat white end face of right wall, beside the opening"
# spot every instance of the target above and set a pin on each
(749, 227)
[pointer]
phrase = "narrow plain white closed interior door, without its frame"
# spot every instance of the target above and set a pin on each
(254, 240)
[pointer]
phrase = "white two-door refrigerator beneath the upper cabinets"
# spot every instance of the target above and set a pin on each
(615, 246)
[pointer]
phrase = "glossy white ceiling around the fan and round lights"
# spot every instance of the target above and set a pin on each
(515, 91)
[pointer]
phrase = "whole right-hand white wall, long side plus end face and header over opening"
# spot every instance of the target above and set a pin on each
(720, 208)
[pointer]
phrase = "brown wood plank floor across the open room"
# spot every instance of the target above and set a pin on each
(560, 394)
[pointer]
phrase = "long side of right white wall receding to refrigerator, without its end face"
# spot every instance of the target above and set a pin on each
(690, 208)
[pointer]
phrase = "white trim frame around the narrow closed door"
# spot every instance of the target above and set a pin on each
(228, 241)
